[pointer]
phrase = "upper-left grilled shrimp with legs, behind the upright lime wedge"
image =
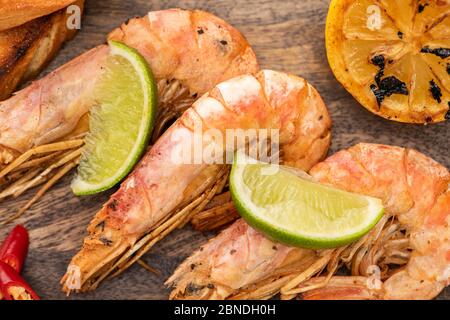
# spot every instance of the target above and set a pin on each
(41, 126)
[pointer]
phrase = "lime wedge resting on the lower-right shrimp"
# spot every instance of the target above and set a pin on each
(294, 210)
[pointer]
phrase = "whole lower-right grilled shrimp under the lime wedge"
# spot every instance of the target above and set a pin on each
(413, 235)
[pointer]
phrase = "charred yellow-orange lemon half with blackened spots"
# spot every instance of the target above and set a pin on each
(393, 56)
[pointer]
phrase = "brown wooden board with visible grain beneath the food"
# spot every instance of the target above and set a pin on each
(287, 36)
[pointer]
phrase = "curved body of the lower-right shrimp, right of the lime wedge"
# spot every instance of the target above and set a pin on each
(415, 191)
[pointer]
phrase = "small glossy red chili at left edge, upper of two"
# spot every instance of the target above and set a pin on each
(15, 248)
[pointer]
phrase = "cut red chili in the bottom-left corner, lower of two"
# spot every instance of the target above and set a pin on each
(13, 286)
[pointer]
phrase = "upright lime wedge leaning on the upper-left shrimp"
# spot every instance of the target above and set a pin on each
(120, 123)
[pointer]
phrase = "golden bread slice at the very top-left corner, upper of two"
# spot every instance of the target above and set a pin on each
(14, 13)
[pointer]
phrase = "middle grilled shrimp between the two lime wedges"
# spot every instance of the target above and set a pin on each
(161, 194)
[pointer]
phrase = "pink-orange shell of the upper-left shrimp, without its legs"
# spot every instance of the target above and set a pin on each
(171, 43)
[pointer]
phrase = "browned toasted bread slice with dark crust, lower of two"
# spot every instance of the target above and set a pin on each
(25, 50)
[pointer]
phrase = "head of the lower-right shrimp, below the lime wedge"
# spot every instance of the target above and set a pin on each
(239, 263)
